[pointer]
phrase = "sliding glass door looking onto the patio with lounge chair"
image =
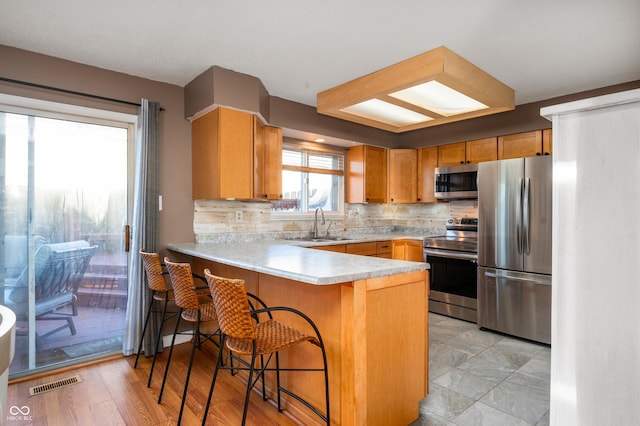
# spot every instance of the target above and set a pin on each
(63, 212)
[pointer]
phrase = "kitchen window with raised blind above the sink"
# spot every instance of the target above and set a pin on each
(312, 177)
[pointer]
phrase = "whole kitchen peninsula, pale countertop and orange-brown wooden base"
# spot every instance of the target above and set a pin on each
(371, 312)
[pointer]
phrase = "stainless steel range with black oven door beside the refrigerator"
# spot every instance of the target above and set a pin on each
(454, 260)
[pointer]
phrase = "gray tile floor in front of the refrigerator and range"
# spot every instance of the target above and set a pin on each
(483, 378)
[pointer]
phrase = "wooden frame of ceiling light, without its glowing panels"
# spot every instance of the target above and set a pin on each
(440, 64)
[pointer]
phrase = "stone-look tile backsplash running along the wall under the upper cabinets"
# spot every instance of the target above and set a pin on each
(231, 220)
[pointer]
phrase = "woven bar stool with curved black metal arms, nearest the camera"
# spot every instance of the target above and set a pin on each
(238, 313)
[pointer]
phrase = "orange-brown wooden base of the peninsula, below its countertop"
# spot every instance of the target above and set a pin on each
(376, 335)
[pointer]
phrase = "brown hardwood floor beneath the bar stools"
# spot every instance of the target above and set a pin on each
(114, 393)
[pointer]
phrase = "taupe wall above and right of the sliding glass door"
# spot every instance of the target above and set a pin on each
(176, 219)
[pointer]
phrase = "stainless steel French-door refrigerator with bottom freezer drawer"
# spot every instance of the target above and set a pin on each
(514, 247)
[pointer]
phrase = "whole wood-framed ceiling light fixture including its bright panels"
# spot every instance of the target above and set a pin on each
(432, 88)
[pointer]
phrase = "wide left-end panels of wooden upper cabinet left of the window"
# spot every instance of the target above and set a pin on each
(222, 155)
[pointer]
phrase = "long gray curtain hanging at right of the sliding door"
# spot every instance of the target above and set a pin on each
(143, 228)
